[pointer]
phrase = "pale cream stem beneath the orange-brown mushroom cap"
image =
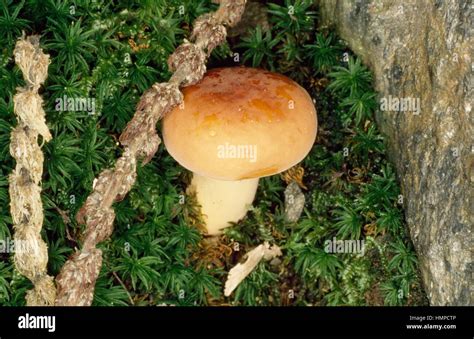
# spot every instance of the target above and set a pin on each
(222, 201)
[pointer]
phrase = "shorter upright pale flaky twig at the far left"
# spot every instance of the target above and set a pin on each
(31, 254)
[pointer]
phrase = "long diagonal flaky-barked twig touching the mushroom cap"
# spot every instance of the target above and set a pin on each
(77, 278)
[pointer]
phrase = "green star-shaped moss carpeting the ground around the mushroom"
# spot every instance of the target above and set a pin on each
(157, 254)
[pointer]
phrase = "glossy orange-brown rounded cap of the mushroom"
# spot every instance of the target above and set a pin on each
(241, 123)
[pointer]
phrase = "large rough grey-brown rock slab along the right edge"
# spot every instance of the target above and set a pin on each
(423, 50)
